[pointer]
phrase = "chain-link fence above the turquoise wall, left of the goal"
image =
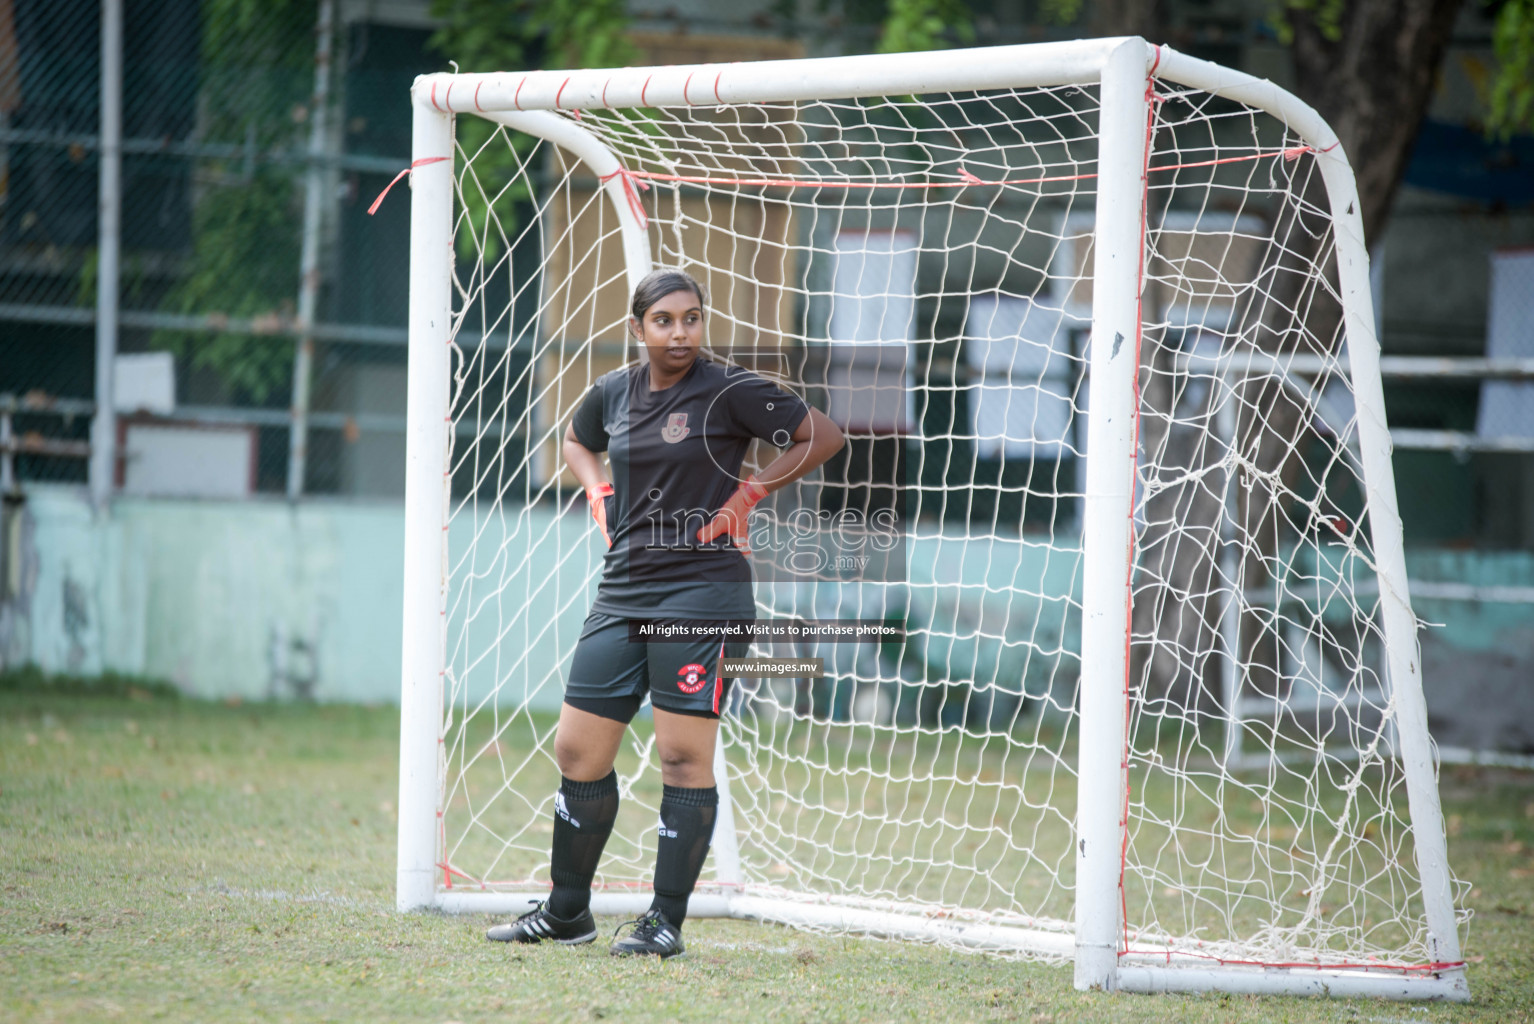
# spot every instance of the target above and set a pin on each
(246, 148)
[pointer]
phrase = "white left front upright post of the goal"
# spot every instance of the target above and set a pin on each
(426, 507)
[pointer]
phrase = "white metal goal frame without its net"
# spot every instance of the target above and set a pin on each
(1121, 68)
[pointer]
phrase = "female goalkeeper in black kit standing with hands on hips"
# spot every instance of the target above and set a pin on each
(674, 517)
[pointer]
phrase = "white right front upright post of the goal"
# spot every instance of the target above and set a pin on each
(1108, 508)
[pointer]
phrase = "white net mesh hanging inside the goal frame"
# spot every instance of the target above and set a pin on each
(921, 271)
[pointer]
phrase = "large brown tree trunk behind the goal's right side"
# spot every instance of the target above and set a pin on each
(1368, 67)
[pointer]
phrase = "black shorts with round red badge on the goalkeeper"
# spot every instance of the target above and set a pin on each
(682, 677)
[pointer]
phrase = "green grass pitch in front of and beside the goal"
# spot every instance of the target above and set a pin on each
(183, 861)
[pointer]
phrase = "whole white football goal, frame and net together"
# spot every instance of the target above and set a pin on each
(1001, 269)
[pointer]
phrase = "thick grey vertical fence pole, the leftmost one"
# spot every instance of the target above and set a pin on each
(110, 220)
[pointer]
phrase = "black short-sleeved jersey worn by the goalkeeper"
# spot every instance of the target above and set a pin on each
(676, 459)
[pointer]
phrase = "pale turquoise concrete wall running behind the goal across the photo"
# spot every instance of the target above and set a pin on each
(258, 600)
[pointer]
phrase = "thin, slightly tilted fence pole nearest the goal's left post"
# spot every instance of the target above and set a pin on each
(309, 258)
